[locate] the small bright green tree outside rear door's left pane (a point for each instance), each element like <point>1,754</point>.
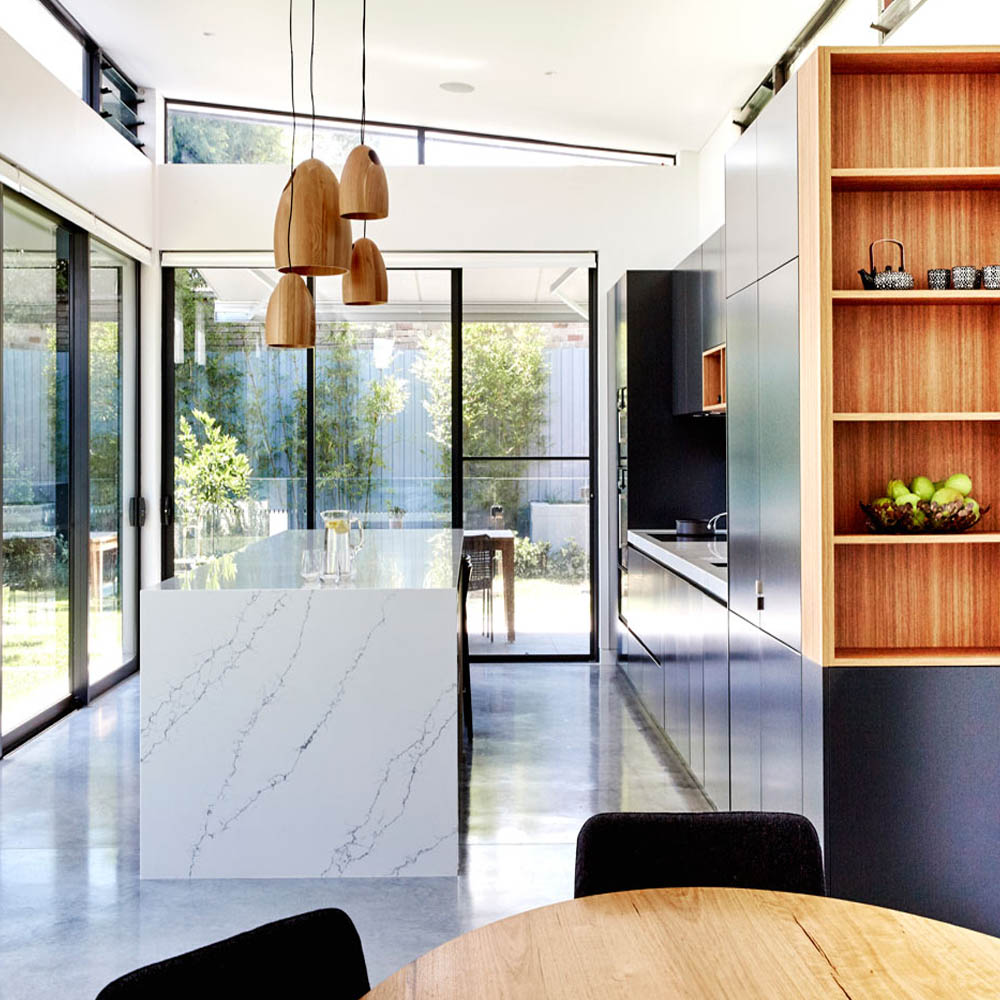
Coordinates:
<point>211,474</point>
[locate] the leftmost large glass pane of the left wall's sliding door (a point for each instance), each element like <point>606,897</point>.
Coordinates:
<point>35,673</point>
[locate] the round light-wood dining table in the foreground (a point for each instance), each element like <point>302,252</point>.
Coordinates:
<point>705,943</point>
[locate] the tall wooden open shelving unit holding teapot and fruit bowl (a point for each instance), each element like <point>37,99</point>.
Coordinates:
<point>900,143</point>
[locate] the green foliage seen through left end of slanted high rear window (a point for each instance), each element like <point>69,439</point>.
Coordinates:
<point>200,138</point>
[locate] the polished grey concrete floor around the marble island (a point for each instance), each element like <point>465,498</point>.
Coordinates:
<point>554,743</point>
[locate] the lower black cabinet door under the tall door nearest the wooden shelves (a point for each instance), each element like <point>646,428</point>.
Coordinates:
<point>780,727</point>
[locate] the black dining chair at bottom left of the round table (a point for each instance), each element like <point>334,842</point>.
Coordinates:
<point>286,958</point>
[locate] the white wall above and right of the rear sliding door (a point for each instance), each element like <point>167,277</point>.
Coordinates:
<point>632,216</point>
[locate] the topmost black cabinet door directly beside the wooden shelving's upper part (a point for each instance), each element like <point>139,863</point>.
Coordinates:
<point>777,180</point>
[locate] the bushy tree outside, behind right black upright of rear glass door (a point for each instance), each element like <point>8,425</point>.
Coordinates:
<point>504,386</point>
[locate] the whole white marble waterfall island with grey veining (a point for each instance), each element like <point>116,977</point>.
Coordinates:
<point>297,730</point>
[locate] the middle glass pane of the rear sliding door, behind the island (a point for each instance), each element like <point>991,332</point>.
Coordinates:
<point>383,403</point>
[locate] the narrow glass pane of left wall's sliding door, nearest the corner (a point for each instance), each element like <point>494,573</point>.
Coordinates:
<point>112,548</point>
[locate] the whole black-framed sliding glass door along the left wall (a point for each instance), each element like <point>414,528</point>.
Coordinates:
<point>70,468</point>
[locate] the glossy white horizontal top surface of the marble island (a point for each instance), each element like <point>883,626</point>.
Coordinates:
<point>390,559</point>
